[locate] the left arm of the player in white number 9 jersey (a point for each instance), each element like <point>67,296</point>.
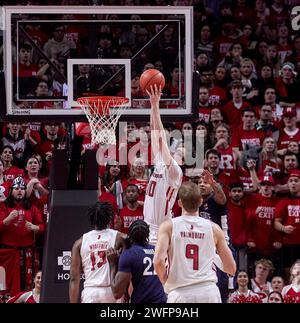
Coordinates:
<point>161,250</point>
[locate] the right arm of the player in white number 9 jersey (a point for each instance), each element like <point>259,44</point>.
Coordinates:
<point>228,263</point>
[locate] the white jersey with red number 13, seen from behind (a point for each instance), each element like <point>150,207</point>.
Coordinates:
<point>93,254</point>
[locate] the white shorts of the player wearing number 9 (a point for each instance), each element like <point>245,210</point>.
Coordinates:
<point>199,293</point>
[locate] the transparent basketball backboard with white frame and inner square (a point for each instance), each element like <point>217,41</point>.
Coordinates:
<point>52,56</point>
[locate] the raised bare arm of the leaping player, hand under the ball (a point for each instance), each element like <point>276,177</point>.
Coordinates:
<point>158,136</point>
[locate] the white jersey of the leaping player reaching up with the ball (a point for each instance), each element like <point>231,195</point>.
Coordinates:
<point>161,192</point>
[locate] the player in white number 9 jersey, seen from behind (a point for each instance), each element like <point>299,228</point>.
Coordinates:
<point>191,244</point>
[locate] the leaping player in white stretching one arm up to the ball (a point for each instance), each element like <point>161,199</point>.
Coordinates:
<point>167,176</point>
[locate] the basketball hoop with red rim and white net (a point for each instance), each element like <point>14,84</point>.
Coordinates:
<point>103,113</point>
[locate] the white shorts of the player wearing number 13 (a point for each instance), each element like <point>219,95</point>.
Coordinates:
<point>98,295</point>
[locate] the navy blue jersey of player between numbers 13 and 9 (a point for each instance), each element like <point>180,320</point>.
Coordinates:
<point>147,288</point>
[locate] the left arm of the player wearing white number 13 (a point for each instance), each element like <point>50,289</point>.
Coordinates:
<point>75,272</point>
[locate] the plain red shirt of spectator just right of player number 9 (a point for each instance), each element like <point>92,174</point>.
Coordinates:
<point>237,223</point>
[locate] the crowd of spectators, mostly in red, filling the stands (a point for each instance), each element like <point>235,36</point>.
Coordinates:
<point>247,61</point>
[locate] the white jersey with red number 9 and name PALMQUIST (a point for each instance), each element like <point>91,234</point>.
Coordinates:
<point>192,253</point>
